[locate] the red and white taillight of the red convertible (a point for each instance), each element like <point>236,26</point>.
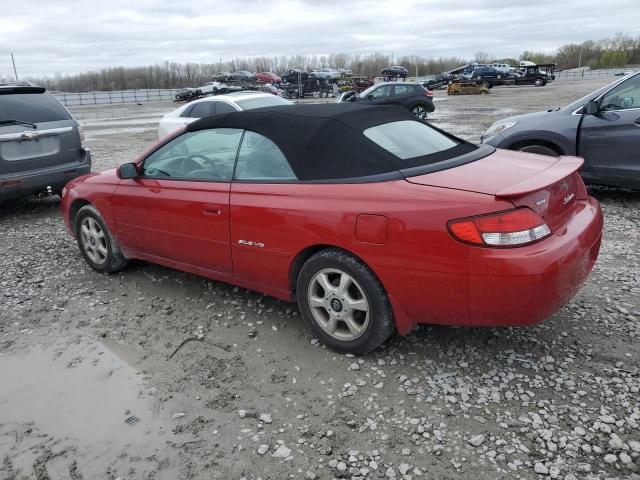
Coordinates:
<point>512,228</point>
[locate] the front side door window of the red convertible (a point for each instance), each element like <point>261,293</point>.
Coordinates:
<point>203,155</point>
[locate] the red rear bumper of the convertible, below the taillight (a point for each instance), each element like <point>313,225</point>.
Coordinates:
<point>521,286</point>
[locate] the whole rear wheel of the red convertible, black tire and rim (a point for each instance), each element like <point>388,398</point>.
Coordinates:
<point>343,302</point>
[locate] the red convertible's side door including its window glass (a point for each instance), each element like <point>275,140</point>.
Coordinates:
<point>178,208</point>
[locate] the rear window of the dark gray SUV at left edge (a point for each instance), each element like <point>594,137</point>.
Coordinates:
<point>31,107</point>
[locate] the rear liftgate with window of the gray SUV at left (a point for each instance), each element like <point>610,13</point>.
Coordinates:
<point>36,132</point>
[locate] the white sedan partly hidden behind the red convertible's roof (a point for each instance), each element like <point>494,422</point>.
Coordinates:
<point>209,106</point>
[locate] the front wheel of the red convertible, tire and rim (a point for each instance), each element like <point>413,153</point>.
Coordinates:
<point>97,245</point>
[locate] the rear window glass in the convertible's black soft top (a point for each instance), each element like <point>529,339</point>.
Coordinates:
<point>409,139</point>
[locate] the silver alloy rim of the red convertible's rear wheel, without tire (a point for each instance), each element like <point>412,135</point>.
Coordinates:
<point>338,304</point>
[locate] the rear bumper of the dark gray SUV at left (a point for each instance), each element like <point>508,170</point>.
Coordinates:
<point>24,184</point>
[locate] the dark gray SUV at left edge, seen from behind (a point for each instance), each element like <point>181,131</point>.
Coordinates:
<point>40,144</point>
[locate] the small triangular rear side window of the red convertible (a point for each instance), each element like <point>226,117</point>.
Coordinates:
<point>261,160</point>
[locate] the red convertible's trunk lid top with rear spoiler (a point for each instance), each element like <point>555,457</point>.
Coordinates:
<point>504,173</point>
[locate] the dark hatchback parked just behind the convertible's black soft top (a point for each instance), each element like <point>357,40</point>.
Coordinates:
<point>417,99</point>
